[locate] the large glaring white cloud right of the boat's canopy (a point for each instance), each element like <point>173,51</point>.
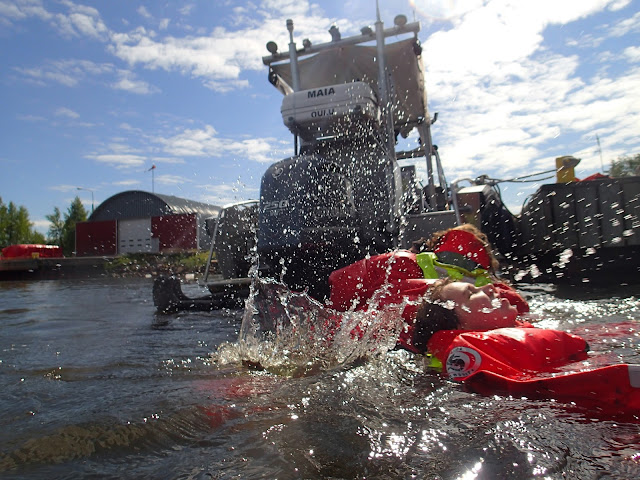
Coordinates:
<point>505,98</point>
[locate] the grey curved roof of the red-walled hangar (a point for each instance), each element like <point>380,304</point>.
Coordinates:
<point>140,204</point>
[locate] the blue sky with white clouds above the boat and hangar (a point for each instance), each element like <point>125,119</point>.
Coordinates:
<point>93,94</point>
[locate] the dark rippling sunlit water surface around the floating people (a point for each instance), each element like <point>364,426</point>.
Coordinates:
<point>95,384</point>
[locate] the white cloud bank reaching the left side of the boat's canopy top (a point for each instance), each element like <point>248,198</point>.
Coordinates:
<point>221,57</point>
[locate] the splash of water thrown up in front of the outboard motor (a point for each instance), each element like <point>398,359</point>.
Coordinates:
<point>291,334</point>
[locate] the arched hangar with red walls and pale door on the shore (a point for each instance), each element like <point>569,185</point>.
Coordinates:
<point>136,221</point>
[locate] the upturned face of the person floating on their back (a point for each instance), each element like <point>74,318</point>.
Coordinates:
<point>478,308</point>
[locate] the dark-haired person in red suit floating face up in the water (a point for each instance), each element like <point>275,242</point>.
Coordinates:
<point>469,334</point>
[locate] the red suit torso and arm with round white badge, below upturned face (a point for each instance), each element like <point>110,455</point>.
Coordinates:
<point>536,363</point>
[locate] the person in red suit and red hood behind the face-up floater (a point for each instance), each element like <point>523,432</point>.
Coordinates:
<point>397,277</point>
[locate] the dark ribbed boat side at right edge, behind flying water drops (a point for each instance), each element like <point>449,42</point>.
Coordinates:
<point>580,232</point>
